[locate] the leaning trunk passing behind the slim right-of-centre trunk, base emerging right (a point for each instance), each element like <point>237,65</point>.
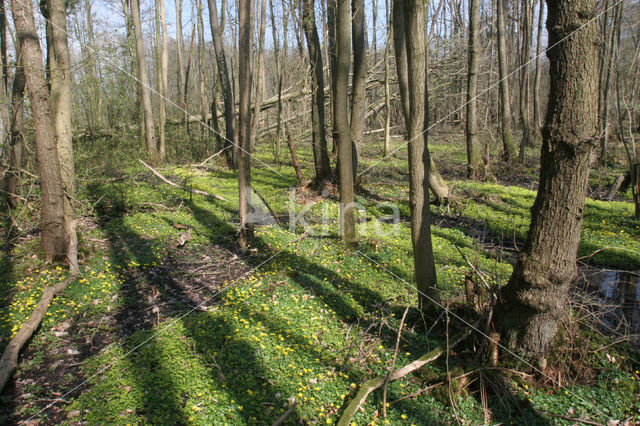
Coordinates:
<point>438,186</point>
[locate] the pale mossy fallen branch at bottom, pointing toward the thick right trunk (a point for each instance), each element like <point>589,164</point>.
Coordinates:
<point>373,384</point>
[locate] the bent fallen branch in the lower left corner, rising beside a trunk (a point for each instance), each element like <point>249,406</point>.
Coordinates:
<point>9,360</point>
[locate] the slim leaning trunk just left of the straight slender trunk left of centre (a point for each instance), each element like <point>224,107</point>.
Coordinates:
<point>223,74</point>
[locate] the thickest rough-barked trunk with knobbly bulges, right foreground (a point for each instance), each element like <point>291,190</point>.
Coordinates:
<point>533,301</point>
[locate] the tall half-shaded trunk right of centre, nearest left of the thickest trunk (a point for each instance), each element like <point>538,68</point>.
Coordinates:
<point>415,27</point>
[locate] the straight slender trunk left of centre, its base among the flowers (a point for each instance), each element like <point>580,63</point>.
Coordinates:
<point>244,123</point>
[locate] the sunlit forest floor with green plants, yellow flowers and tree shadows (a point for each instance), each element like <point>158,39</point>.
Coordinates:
<point>171,323</point>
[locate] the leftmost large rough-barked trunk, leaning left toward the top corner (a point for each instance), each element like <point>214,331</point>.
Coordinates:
<point>53,233</point>
